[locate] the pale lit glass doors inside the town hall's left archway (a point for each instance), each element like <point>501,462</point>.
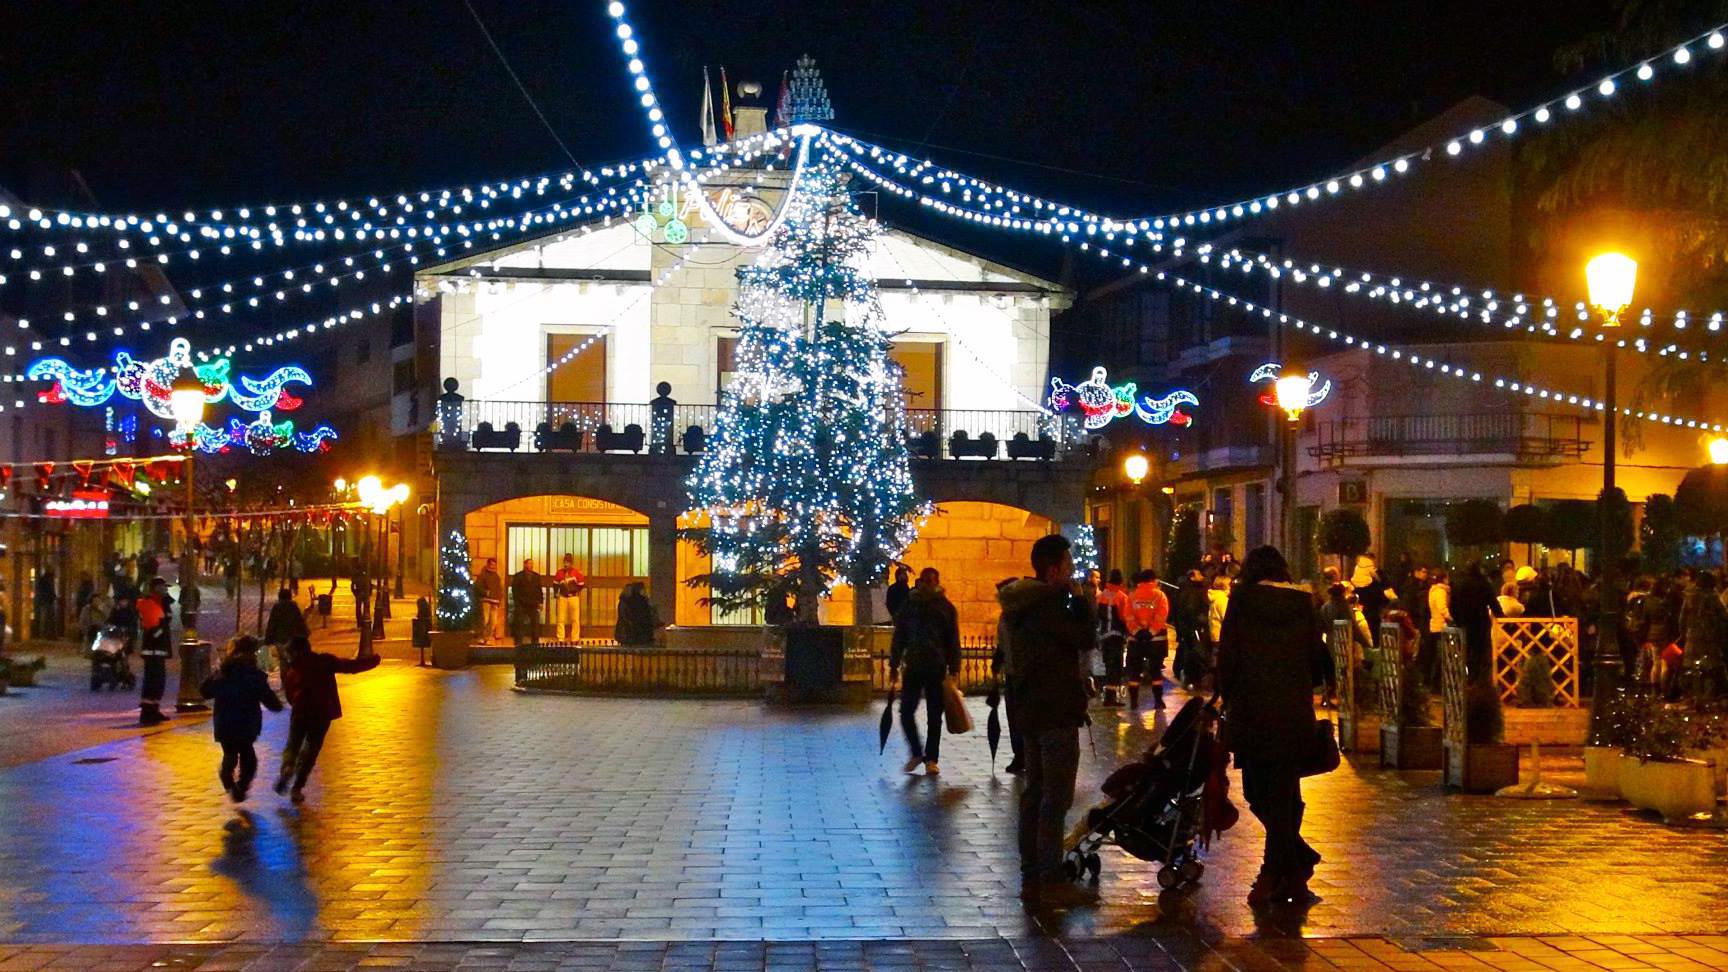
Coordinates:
<point>611,556</point>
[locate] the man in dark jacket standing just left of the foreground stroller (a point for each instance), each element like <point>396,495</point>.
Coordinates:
<point>1050,632</point>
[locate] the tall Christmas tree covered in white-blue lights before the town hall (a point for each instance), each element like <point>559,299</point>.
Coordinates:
<point>808,475</point>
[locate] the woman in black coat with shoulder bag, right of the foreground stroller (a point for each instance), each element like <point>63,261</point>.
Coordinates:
<point>1271,656</point>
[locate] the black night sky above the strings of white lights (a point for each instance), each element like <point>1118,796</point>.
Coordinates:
<point>1150,105</point>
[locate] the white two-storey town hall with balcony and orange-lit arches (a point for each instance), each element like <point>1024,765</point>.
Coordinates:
<point>581,376</point>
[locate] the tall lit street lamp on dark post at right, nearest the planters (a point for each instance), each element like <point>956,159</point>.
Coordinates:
<point>1611,279</point>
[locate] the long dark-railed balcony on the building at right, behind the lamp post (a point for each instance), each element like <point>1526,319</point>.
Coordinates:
<point>1520,437</point>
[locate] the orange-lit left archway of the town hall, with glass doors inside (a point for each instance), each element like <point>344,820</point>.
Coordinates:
<point>609,544</point>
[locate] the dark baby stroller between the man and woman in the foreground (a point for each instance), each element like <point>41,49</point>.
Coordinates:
<point>1166,807</point>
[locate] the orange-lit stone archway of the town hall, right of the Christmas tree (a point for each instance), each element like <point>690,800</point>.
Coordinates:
<point>977,546</point>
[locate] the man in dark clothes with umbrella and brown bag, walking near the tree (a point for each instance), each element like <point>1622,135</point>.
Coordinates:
<point>927,639</point>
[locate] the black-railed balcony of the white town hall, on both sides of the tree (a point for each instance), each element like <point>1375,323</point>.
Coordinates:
<point>594,428</point>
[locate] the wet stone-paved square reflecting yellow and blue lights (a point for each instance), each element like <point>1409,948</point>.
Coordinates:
<point>452,810</point>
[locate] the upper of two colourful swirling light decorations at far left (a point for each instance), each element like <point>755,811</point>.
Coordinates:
<point>153,383</point>
